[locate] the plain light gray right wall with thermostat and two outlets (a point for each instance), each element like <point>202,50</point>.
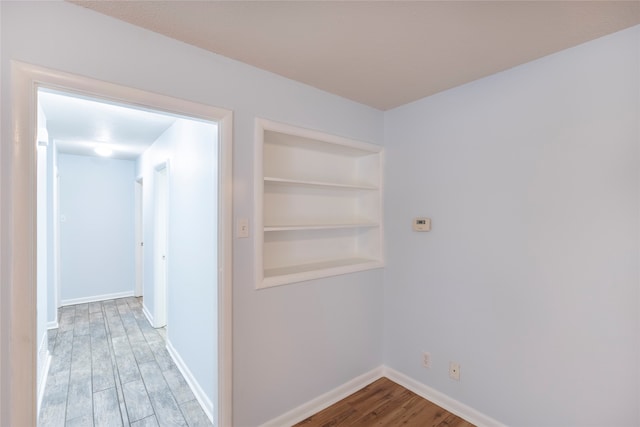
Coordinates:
<point>529,278</point>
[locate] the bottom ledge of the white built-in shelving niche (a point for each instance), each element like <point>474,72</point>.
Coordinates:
<point>299,273</point>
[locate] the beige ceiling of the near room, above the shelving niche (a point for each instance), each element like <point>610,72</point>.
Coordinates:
<point>380,53</point>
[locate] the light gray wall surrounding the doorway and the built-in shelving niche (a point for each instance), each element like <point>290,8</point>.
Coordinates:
<point>291,343</point>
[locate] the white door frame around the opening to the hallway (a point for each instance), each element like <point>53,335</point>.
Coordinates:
<point>18,349</point>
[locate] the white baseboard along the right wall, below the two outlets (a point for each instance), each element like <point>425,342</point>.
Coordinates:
<point>442,400</point>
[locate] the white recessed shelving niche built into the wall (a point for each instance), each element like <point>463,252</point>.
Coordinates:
<point>318,205</point>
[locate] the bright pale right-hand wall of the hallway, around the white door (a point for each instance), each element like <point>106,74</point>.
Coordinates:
<point>191,150</point>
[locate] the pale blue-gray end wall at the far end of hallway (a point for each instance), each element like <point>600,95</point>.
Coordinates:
<point>97,227</point>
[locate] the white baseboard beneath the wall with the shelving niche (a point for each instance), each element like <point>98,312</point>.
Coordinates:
<point>321,402</point>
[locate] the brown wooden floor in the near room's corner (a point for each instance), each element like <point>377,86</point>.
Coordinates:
<point>384,403</point>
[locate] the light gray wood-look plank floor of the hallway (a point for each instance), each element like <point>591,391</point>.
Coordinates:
<point>109,367</point>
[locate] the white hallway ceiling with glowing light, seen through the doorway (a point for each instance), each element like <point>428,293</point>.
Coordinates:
<point>79,124</point>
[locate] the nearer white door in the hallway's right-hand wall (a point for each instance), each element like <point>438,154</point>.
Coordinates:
<point>161,243</point>
